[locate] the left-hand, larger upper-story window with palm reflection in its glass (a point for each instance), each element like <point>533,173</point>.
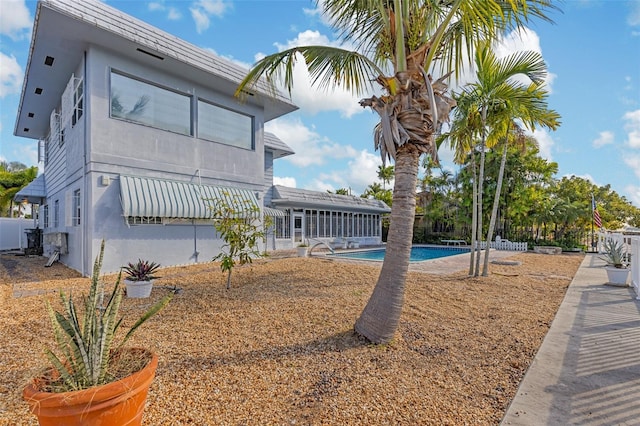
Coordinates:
<point>151,105</point>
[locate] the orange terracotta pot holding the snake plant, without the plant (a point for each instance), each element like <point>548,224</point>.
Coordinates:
<point>113,404</point>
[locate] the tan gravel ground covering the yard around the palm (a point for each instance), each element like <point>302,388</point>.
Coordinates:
<point>278,348</point>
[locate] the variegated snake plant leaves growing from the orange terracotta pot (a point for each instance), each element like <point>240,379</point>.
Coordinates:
<point>85,343</point>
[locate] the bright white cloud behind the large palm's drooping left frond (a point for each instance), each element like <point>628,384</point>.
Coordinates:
<point>310,99</point>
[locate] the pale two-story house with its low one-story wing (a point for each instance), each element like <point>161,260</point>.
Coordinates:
<point>139,131</point>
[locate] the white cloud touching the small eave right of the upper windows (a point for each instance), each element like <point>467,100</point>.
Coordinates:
<point>310,147</point>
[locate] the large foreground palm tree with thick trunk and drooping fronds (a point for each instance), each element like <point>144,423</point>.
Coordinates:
<point>397,44</point>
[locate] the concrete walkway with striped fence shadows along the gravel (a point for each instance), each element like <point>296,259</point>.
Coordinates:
<point>587,371</point>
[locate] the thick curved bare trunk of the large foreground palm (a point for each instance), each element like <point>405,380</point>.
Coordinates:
<point>380,318</point>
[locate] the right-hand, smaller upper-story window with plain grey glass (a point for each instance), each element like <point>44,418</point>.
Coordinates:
<point>225,126</point>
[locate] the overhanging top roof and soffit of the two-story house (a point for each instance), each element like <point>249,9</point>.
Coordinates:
<point>64,29</point>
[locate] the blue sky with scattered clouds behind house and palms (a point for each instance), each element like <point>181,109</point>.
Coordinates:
<point>592,52</point>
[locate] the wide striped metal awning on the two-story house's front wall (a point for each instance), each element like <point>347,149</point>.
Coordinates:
<point>149,197</point>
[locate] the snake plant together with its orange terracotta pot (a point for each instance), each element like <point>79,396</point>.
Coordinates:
<point>93,381</point>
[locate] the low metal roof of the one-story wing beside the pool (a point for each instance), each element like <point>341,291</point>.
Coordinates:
<point>294,197</point>
